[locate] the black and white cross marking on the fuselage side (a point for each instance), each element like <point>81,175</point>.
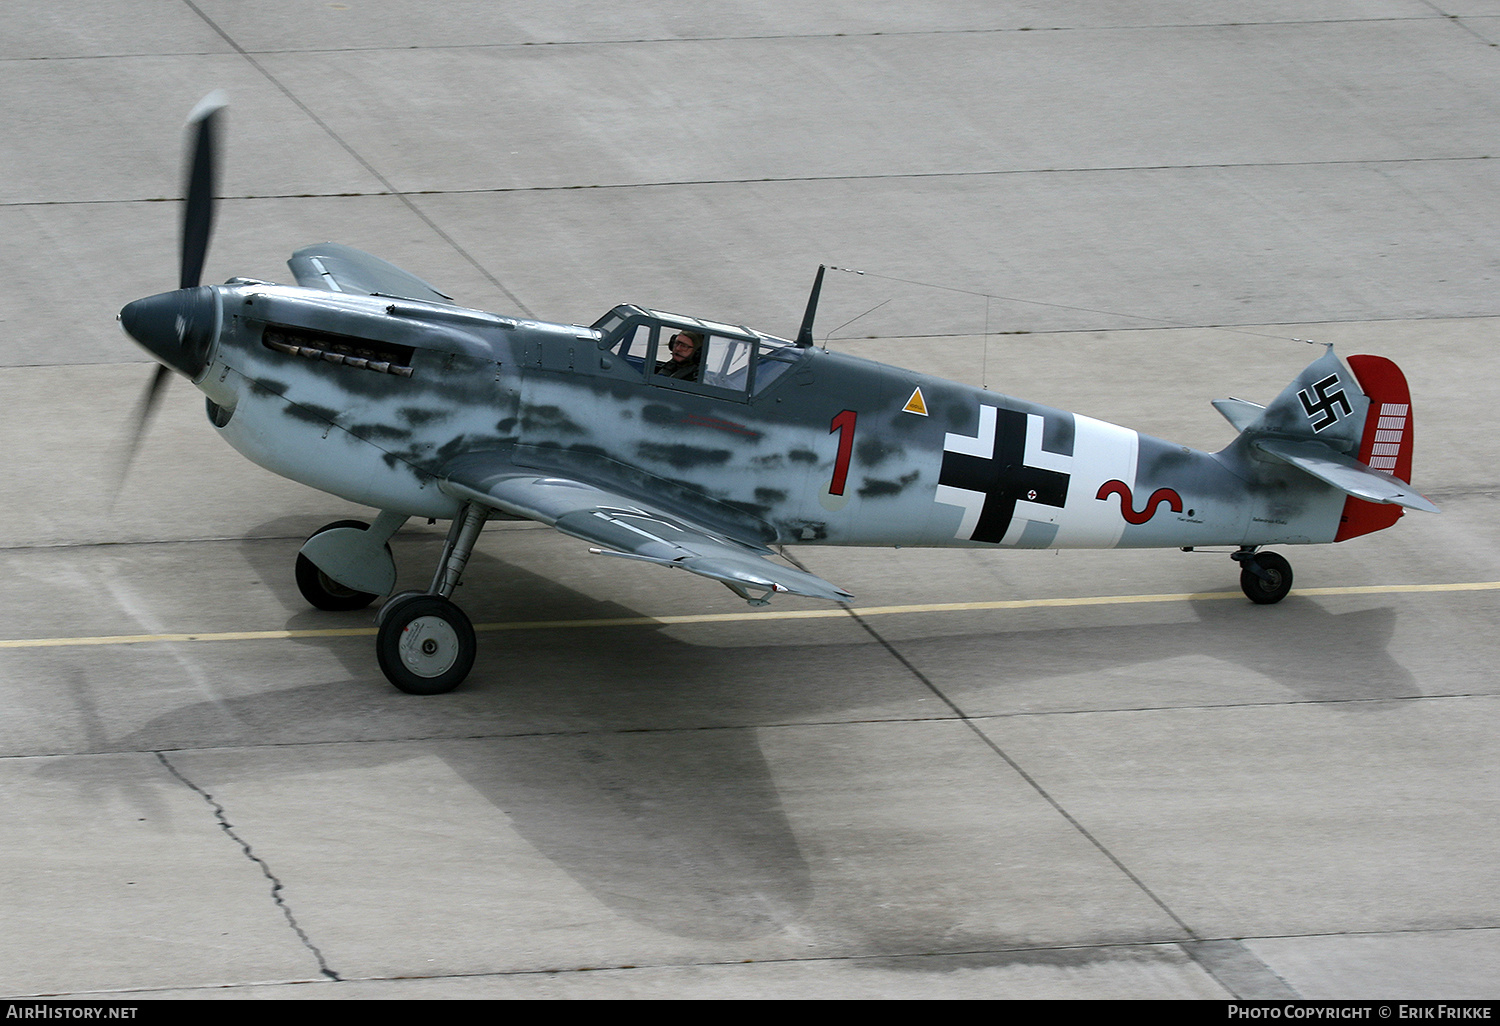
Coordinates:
<point>986,475</point>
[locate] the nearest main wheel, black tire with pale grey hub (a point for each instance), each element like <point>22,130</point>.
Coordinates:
<point>427,646</point>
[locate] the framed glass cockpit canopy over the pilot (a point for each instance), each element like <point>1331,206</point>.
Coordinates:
<point>731,362</point>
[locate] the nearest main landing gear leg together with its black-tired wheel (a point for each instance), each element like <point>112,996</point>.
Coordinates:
<point>425,644</point>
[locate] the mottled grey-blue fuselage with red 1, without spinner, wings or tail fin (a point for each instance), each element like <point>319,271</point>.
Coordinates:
<point>368,398</point>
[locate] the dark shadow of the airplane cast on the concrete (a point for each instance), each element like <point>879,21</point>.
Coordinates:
<point>622,755</point>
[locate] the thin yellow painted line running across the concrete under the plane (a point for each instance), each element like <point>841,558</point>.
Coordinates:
<point>767,614</point>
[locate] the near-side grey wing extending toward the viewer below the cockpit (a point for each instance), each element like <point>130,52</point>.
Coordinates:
<point>623,526</point>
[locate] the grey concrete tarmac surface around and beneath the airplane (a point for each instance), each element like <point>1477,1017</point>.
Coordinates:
<point>998,775</point>
